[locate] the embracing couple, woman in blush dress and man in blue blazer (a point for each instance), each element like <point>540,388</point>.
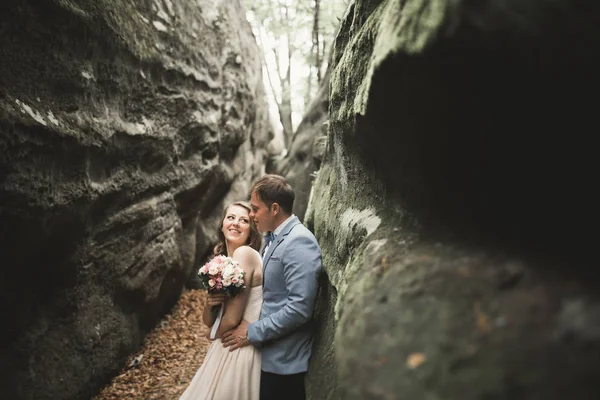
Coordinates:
<point>264,338</point>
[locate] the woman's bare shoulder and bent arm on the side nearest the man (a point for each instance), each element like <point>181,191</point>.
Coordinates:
<point>234,307</point>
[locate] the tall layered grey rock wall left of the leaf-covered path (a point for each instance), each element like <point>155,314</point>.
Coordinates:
<point>124,126</point>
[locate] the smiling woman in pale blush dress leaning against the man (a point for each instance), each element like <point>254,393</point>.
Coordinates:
<point>224,374</point>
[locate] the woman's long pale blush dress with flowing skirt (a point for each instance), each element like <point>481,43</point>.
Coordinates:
<point>230,375</point>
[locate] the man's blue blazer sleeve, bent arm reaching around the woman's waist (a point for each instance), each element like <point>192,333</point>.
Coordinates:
<point>301,268</point>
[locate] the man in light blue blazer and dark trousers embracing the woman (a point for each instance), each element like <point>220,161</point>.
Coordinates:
<point>291,268</point>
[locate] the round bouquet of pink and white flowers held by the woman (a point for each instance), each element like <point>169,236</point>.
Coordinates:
<point>222,275</point>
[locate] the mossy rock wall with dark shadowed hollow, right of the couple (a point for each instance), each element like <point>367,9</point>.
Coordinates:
<point>454,203</point>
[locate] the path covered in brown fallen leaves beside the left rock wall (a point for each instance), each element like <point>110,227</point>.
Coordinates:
<point>169,358</point>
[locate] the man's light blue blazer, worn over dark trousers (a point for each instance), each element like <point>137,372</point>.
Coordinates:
<point>291,269</point>
